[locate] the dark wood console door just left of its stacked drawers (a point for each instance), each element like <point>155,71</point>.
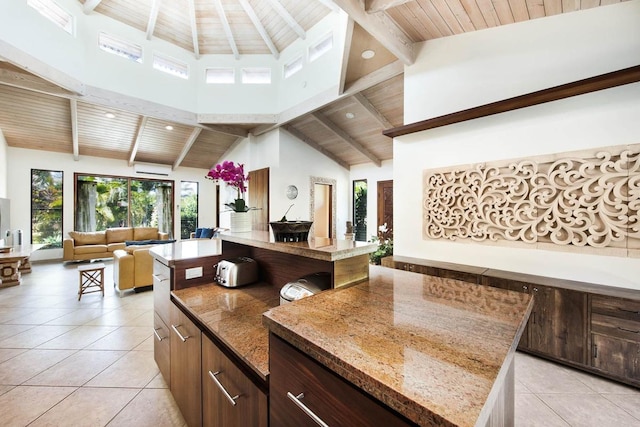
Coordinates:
<point>557,326</point>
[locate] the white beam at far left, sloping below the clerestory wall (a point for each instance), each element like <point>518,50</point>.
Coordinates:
<point>41,69</point>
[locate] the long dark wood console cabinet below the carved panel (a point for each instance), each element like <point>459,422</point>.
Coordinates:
<point>590,327</point>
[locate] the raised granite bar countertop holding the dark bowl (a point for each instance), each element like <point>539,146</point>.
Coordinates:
<point>323,249</point>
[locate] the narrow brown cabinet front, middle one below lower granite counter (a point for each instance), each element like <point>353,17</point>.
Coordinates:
<point>186,367</point>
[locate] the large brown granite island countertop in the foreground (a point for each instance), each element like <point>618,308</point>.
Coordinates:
<point>431,348</point>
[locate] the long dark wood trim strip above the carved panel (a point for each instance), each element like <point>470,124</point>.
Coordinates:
<point>580,87</point>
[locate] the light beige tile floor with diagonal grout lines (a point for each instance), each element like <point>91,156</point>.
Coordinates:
<point>65,362</point>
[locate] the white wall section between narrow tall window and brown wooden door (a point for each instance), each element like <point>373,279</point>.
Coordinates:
<point>372,174</point>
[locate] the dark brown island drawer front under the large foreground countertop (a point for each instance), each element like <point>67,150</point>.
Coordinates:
<point>301,389</point>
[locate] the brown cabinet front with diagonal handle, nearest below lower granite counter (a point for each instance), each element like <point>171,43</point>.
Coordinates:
<point>229,398</point>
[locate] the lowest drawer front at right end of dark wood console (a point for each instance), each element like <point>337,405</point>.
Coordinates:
<point>617,357</point>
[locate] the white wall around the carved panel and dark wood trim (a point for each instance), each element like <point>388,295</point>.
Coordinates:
<point>464,71</point>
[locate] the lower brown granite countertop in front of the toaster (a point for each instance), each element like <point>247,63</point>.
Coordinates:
<point>234,316</point>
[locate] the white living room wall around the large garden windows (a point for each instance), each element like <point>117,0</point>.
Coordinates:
<point>23,160</point>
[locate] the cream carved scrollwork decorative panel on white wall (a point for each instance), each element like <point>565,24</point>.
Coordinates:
<point>588,201</point>
